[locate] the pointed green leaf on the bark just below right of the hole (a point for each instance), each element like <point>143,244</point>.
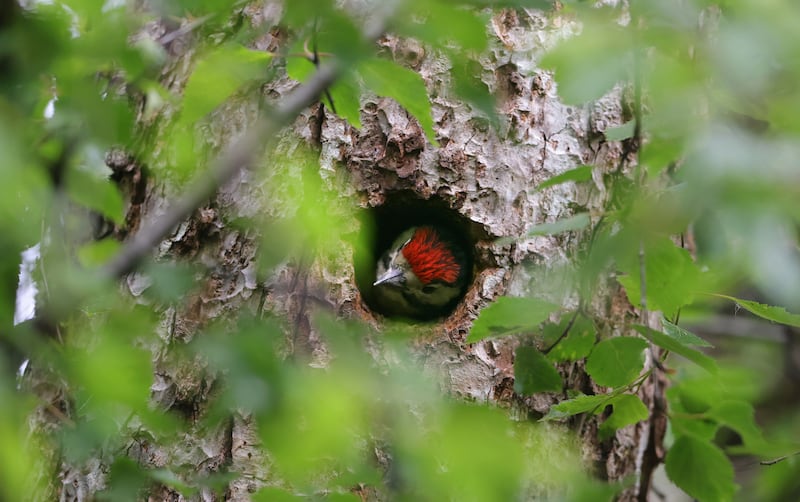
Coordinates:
<point>510,315</point>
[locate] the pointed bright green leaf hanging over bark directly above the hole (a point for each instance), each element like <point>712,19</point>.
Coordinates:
<point>389,79</point>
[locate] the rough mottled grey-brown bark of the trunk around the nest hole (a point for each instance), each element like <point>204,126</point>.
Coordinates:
<point>486,176</point>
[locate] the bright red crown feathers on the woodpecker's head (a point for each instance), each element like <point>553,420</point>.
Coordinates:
<point>430,258</point>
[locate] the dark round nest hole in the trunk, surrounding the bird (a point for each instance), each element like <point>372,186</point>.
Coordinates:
<point>402,210</point>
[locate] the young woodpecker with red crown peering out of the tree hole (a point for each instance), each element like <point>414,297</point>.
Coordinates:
<point>422,274</point>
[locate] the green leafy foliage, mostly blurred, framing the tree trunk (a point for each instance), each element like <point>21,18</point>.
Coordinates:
<point>711,143</point>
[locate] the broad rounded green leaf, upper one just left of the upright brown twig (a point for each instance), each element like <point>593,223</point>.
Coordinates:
<point>616,361</point>
